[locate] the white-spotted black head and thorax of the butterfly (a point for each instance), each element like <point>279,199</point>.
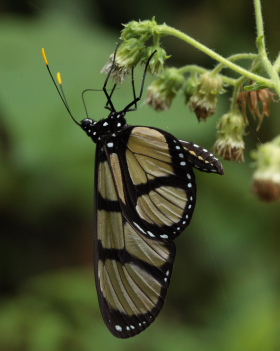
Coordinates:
<point>105,127</point>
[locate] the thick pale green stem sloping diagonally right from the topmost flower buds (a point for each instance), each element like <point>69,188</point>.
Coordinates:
<point>166,30</point>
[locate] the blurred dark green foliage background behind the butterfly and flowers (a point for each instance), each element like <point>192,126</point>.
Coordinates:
<point>225,287</point>
